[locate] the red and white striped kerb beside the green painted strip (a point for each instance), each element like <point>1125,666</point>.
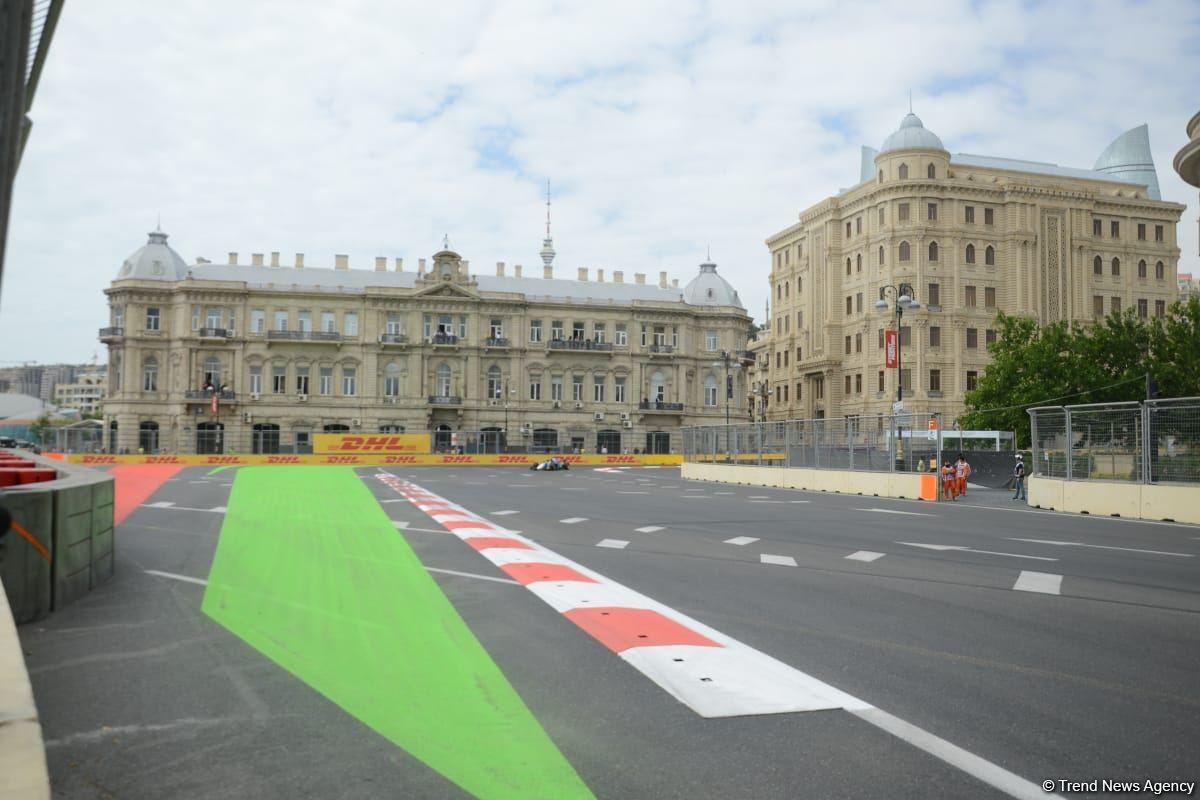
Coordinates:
<point>713,675</point>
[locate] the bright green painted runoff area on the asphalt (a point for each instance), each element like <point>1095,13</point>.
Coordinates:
<point>311,573</point>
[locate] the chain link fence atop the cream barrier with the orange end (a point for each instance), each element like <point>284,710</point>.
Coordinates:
<point>879,444</point>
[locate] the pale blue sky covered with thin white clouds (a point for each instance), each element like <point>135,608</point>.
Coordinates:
<point>667,129</point>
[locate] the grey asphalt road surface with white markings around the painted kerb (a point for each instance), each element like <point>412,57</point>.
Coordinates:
<point>143,696</point>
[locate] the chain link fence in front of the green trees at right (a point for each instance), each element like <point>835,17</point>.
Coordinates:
<point>1141,443</point>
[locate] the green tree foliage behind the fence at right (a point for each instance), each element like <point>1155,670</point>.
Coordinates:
<point>1105,363</point>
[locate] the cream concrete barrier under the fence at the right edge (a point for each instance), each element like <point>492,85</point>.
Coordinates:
<point>1173,503</point>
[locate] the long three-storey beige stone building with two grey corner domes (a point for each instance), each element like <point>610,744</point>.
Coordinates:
<point>597,363</point>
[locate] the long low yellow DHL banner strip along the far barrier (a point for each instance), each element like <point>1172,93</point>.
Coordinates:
<point>380,460</point>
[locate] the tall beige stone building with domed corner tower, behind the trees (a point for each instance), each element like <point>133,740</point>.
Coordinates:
<point>973,236</point>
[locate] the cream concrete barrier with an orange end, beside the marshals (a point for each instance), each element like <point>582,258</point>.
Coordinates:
<point>885,485</point>
